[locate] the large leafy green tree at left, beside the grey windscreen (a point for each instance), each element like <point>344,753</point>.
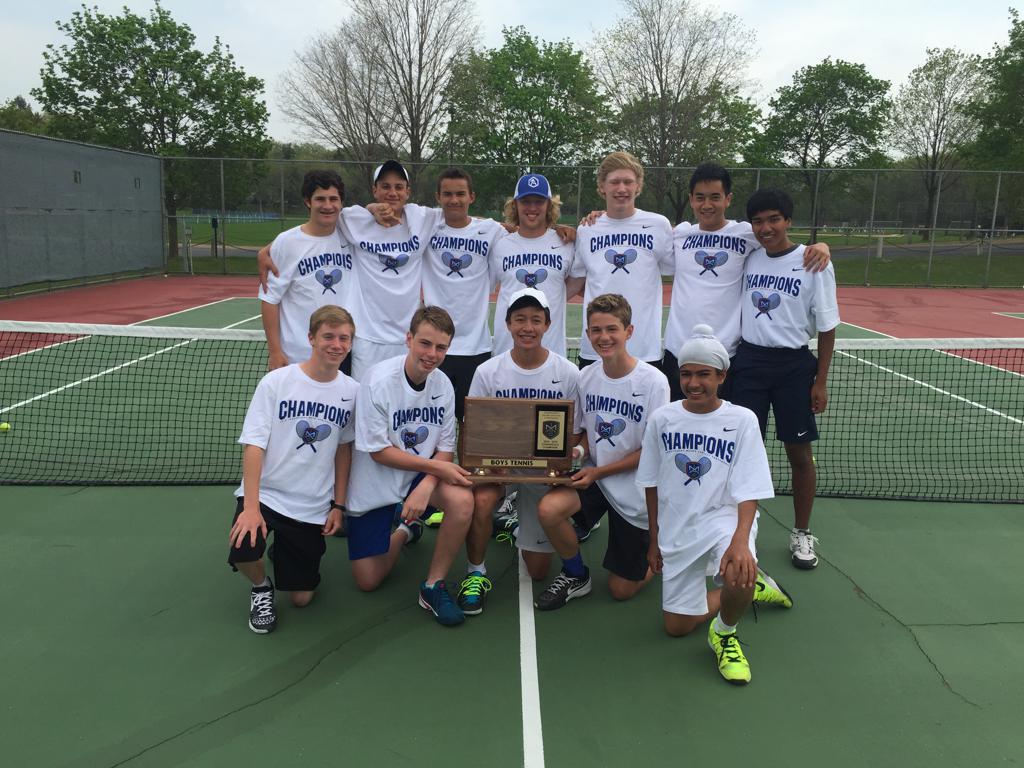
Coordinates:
<point>140,83</point>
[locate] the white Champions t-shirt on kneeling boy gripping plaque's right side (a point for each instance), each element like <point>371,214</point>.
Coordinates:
<point>615,413</point>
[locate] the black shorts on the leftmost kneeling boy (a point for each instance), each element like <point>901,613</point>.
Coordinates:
<point>298,548</point>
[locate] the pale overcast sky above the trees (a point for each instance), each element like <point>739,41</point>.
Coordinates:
<point>888,36</point>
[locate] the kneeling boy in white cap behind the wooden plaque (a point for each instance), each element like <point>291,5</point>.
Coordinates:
<point>527,371</point>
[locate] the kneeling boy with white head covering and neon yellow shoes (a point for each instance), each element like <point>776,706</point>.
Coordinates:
<point>704,467</point>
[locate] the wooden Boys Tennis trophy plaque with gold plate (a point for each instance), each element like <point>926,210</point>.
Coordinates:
<point>504,440</point>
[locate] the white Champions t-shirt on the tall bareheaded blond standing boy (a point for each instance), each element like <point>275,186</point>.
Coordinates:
<point>627,258</point>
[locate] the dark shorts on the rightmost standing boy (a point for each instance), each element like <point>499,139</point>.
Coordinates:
<point>779,378</point>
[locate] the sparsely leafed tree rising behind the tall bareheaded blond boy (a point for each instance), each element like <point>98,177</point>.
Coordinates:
<point>673,72</point>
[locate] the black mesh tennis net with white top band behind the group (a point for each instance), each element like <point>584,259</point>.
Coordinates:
<point>930,419</point>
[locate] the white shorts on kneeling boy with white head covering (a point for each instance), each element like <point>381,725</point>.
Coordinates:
<point>685,580</point>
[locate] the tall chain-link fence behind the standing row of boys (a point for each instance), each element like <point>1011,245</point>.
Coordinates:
<point>885,227</point>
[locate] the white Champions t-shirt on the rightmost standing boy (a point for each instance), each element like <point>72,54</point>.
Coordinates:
<point>784,306</point>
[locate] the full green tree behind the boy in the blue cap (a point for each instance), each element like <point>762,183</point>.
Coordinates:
<point>528,104</point>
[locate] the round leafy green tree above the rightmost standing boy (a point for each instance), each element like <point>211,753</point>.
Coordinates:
<point>834,114</point>
